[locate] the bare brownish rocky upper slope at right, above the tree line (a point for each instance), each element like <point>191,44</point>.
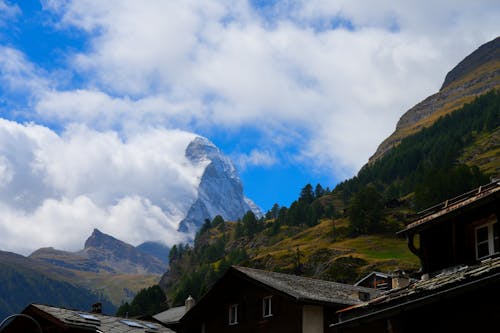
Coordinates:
<point>477,74</point>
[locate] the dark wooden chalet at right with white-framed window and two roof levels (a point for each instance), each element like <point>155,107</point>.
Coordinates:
<point>459,290</point>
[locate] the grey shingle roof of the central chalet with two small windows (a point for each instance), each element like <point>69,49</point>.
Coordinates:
<point>307,289</point>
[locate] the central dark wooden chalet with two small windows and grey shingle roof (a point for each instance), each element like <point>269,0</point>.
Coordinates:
<point>252,300</point>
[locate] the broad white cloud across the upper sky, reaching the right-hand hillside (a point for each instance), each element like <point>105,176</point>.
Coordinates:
<point>216,64</point>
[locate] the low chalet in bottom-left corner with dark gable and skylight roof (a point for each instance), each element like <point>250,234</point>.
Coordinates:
<point>49,319</point>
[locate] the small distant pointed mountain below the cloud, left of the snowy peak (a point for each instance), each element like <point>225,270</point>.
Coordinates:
<point>103,253</point>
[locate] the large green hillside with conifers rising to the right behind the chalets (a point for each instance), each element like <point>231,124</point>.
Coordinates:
<point>445,146</point>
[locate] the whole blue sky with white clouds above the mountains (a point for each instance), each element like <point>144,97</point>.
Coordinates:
<point>98,99</point>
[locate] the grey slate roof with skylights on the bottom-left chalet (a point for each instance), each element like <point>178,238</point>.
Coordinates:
<point>94,321</point>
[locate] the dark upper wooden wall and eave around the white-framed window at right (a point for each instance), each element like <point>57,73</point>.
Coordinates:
<point>448,231</point>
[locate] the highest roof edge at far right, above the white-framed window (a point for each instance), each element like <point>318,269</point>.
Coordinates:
<point>450,207</point>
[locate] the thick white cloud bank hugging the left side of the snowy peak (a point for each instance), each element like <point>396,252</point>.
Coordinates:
<point>57,188</point>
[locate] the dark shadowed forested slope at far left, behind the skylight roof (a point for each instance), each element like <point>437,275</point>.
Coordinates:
<point>24,281</point>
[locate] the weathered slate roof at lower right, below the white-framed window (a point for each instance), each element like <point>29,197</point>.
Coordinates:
<point>454,280</point>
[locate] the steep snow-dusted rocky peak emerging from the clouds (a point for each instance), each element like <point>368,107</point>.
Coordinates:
<point>220,191</point>
